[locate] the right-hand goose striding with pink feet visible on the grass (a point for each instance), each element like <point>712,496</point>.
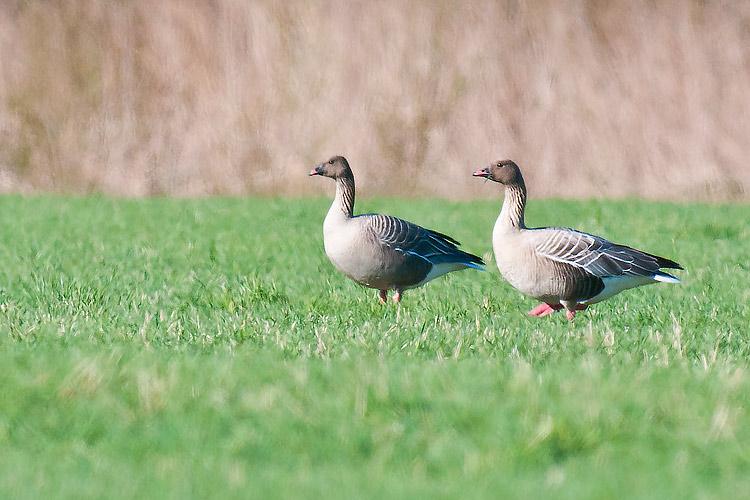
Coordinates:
<point>562,267</point>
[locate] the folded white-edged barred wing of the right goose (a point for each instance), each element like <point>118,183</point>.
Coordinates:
<point>598,256</point>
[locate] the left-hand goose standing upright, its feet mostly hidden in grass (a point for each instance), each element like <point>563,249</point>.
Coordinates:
<point>380,251</point>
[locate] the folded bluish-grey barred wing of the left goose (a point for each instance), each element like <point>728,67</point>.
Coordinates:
<point>411,239</point>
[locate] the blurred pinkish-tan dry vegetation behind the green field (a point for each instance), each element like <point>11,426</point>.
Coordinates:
<point>196,97</point>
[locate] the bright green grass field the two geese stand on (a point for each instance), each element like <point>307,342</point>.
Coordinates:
<point>173,348</point>
